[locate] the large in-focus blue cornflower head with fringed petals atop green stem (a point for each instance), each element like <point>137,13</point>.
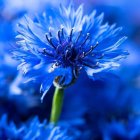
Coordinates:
<point>58,44</point>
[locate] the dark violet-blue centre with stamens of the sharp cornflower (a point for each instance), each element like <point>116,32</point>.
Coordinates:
<point>67,51</point>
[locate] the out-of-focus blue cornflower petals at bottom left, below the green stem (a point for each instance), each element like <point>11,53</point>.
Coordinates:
<point>37,130</point>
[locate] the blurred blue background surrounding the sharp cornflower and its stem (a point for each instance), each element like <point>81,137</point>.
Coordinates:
<point>111,102</point>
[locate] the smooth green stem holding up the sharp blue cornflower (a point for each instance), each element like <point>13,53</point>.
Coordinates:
<point>57,105</point>
